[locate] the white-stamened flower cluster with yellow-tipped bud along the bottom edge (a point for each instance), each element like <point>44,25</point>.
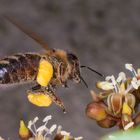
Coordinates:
<point>32,132</point>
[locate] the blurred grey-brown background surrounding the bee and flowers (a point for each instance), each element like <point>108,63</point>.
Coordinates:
<point>104,34</point>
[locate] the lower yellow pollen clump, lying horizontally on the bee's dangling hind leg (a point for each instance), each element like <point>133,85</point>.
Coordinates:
<point>40,99</point>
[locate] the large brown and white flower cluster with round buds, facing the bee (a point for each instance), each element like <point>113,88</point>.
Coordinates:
<point>117,101</point>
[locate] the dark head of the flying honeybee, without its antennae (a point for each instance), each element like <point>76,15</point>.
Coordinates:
<point>75,67</point>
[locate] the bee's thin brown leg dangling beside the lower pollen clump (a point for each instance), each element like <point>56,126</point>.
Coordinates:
<point>50,90</point>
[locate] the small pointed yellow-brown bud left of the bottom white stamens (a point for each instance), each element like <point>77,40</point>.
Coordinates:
<point>23,130</point>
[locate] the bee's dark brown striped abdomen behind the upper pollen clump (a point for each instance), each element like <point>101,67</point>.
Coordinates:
<point>19,68</point>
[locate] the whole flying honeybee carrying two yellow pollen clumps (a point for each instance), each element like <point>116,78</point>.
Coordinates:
<point>49,70</point>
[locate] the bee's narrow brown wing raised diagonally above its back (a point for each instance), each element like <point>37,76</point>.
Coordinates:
<point>29,32</point>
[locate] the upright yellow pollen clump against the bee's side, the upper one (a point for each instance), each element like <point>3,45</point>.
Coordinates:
<point>45,73</point>
